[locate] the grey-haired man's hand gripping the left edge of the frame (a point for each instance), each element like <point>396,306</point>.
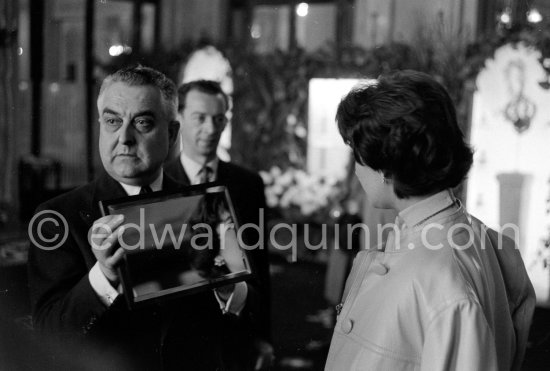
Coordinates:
<point>104,241</point>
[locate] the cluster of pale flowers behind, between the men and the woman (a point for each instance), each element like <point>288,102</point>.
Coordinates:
<point>297,194</point>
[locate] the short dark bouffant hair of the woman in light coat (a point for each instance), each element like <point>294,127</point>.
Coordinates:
<point>405,126</point>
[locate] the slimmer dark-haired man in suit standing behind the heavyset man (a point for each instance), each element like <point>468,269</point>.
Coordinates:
<point>202,113</point>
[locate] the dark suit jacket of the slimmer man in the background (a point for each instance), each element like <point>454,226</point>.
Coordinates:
<point>246,189</point>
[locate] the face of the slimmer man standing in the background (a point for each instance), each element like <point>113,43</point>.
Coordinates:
<point>202,122</point>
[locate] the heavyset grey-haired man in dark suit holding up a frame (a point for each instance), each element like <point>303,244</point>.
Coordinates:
<point>74,286</point>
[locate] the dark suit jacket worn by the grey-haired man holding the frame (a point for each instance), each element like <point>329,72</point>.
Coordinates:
<point>186,332</point>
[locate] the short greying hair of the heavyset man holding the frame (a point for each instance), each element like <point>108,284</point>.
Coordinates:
<point>142,76</point>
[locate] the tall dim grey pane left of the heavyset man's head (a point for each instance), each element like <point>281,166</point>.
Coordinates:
<point>63,121</point>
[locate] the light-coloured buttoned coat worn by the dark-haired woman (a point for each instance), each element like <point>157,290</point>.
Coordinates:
<point>448,295</point>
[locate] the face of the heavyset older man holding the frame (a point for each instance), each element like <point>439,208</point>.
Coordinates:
<point>135,133</point>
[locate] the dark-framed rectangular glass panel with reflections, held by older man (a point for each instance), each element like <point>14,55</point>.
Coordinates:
<point>178,243</point>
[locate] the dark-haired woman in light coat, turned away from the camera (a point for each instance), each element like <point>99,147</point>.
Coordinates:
<point>444,292</point>
